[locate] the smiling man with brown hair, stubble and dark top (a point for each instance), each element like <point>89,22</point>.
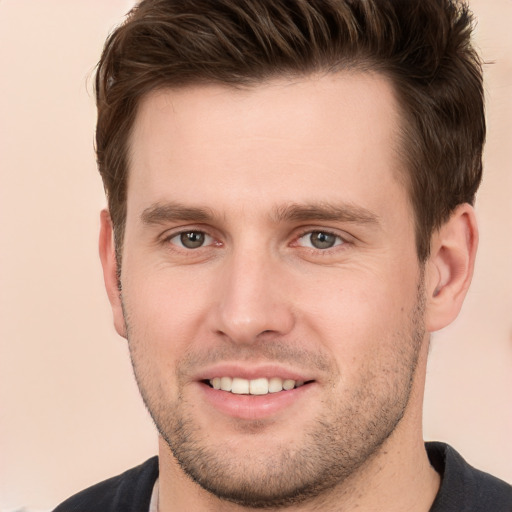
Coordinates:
<point>289,187</point>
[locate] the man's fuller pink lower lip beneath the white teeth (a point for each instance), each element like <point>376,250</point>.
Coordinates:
<point>253,407</point>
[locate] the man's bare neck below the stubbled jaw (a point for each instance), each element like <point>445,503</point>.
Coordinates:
<point>404,482</point>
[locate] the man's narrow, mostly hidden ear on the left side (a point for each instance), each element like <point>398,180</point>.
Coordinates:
<point>110,274</point>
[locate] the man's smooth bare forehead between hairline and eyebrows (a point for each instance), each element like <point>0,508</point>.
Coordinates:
<point>285,140</point>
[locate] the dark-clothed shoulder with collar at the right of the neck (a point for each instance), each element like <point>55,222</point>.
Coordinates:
<point>464,488</point>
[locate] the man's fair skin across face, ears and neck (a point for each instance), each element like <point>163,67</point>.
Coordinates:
<point>257,171</point>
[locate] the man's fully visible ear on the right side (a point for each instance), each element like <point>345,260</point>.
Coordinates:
<point>450,267</point>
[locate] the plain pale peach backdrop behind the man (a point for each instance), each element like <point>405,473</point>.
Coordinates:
<point>70,413</point>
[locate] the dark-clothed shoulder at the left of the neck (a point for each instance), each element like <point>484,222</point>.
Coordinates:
<point>130,491</point>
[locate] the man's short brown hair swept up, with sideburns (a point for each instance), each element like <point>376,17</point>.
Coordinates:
<point>422,46</point>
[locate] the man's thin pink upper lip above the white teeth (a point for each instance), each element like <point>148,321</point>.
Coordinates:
<point>250,372</point>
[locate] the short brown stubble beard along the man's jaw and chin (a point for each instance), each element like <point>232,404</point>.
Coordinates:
<point>335,444</point>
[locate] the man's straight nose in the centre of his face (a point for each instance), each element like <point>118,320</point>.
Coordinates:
<point>252,299</point>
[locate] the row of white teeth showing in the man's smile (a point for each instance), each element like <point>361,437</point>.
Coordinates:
<point>260,386</point>
